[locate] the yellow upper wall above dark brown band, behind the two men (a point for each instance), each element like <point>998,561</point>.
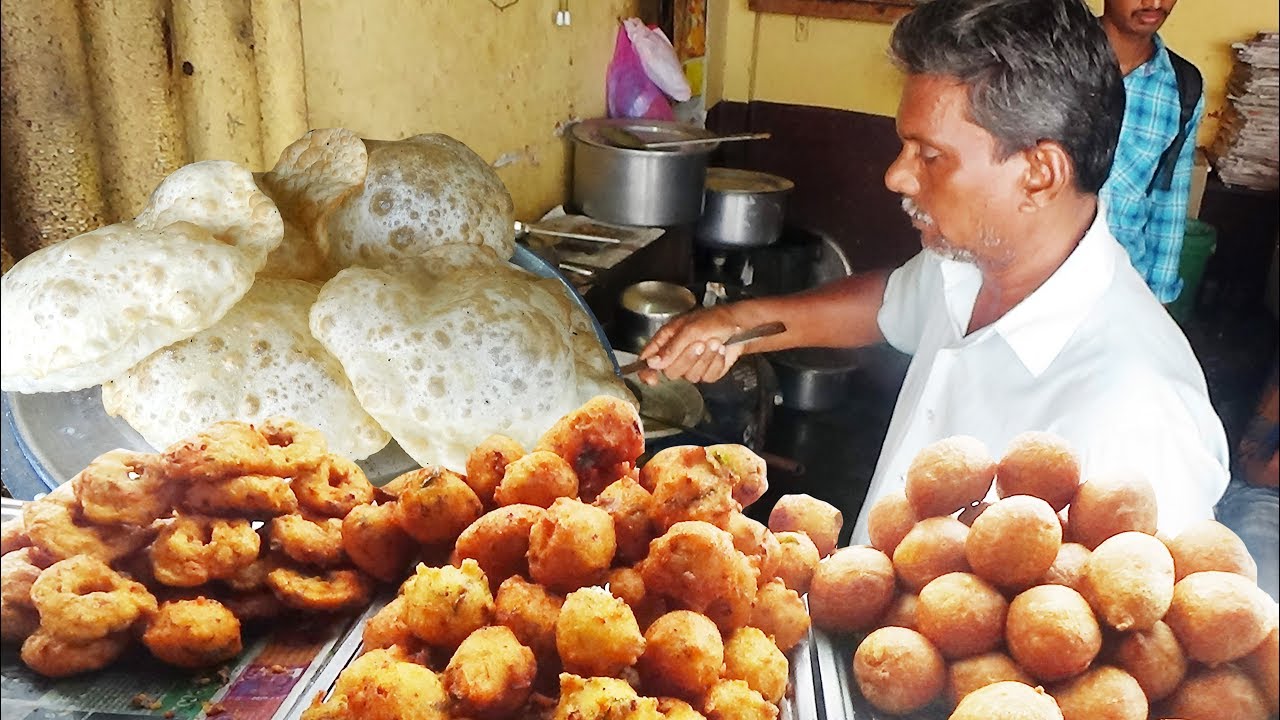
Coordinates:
<point>844,65</point>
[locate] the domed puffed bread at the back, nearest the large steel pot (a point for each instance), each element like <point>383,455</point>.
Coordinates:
<point>422,193</point>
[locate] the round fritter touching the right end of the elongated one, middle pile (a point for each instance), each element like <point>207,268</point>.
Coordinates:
<point>572,545</point>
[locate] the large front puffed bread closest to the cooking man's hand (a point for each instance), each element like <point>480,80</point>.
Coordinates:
<point>445,356</point>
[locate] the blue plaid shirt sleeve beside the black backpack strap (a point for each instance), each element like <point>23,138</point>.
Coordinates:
<point>1167,225</point>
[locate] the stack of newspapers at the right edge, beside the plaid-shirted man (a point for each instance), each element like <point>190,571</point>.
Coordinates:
<point>1247,149</point>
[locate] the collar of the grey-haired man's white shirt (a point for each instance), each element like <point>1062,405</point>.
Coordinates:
<point>1040,326</point>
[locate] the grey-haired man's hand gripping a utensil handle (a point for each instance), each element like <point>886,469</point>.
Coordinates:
<point>692,347</point>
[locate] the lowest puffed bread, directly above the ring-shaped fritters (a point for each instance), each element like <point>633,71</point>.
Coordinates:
<point>259,361</point>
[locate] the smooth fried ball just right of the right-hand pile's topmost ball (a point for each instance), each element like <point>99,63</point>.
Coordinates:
<point>1109,505</point>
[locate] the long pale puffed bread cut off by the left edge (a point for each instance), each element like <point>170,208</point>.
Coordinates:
<point>80,313</point>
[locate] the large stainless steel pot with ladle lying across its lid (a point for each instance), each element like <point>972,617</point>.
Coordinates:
<point>639,188</point>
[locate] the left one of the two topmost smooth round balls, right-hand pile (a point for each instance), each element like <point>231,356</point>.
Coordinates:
<point>949,475</point>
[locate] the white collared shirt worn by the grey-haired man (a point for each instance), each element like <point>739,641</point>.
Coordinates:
<point>1091,356</point>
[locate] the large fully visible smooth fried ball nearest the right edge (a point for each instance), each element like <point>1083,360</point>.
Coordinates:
<point>1219,617</point>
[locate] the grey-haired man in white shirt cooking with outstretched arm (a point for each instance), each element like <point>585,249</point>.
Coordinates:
<point>1022,313</point>
